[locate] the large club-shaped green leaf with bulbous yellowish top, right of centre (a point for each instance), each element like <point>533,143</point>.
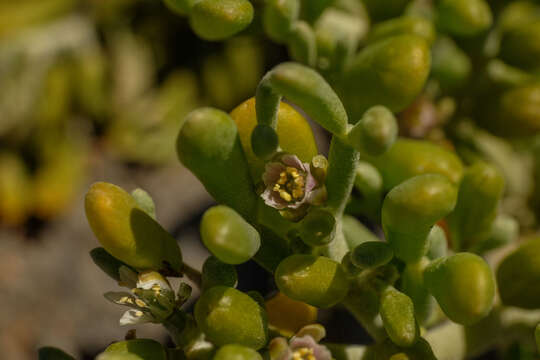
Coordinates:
<point>411,209</point>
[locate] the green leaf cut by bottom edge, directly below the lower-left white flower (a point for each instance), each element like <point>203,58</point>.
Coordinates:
<point>138,349</point>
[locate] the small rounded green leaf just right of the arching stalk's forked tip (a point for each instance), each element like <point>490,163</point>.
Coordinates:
<point>375,133</point>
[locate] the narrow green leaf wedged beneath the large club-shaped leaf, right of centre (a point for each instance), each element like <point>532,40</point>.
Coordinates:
<point>412,284</point>
